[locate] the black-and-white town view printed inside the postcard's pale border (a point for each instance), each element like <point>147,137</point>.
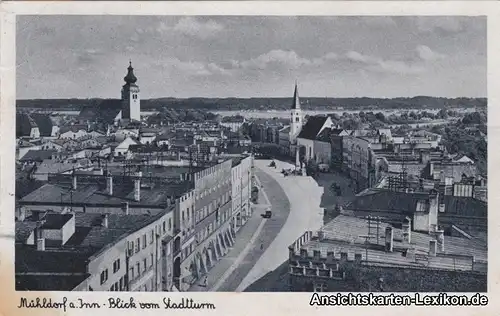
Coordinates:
<point>219,153</point>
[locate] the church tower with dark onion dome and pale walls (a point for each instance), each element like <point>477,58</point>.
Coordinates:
<point>131,99</point>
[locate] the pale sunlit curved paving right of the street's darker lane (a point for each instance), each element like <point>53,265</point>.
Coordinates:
<point>304,196</point>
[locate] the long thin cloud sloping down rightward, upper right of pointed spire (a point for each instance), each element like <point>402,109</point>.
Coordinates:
<point>376,64</point>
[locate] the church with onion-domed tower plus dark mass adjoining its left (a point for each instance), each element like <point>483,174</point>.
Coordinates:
<point>114,111</point>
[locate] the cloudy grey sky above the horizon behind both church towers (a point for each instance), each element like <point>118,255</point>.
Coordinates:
<point>251,56</point>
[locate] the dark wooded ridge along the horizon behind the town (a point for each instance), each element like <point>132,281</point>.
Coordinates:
<point>214,104</point>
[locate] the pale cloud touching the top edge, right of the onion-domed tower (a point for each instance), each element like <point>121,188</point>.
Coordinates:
<point>192,26</point>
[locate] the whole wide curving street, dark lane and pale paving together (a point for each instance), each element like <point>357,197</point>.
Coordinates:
<point>262,244</point>
